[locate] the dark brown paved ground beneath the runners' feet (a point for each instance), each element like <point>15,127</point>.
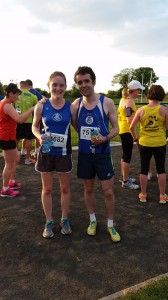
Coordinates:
<point>79,266</point>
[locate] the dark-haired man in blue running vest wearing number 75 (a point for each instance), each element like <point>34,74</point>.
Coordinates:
<point>95,112</point>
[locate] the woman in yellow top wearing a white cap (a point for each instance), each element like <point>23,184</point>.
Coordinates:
<point>126,112</point>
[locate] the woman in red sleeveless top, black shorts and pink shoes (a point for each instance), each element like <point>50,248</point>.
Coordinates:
<point>8,120</point>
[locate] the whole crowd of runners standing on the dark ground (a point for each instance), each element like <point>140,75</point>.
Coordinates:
<point>29,116</point>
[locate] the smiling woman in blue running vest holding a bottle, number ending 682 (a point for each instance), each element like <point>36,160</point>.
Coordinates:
<point>56,114</point>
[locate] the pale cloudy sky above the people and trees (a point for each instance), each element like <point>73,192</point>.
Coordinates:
<point>39,37</point>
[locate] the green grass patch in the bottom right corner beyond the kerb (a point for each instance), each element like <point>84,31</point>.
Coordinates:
<point>157,290</point>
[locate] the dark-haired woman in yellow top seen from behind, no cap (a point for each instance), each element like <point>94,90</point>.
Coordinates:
<point>153,119</point>
